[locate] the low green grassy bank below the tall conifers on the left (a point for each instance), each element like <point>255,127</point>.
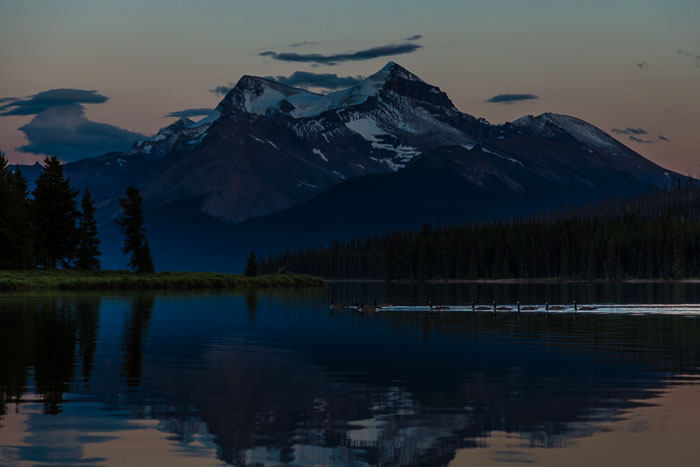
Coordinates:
<point>126,280</point>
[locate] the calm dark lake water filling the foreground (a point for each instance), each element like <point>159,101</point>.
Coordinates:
<point>273,377</point>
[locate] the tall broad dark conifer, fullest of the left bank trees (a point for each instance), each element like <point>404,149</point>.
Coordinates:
<point>54,216</point>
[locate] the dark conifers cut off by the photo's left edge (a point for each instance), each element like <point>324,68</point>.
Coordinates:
<point>16,249</point>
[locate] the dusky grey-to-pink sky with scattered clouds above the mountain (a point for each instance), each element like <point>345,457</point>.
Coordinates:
<point>80,78</point>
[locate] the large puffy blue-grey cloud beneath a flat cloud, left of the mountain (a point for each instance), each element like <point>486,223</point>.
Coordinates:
<point>64,130</point>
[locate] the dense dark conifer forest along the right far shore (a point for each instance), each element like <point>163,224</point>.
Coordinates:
<point>652,236</point>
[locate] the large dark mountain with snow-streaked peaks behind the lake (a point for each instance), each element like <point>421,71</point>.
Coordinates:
<point>280,167</point>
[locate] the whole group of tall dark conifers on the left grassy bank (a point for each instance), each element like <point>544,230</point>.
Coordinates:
<point>45,228</point>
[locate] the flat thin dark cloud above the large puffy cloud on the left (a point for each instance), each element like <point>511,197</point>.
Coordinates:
<point>39,102</point>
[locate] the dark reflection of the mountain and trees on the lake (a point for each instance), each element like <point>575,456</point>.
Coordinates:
<point>290,383</point>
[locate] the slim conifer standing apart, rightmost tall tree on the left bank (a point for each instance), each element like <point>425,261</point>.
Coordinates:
<point>131,223</point>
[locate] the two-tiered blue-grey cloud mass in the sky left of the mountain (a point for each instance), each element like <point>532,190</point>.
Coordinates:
<point>60,127</point>
